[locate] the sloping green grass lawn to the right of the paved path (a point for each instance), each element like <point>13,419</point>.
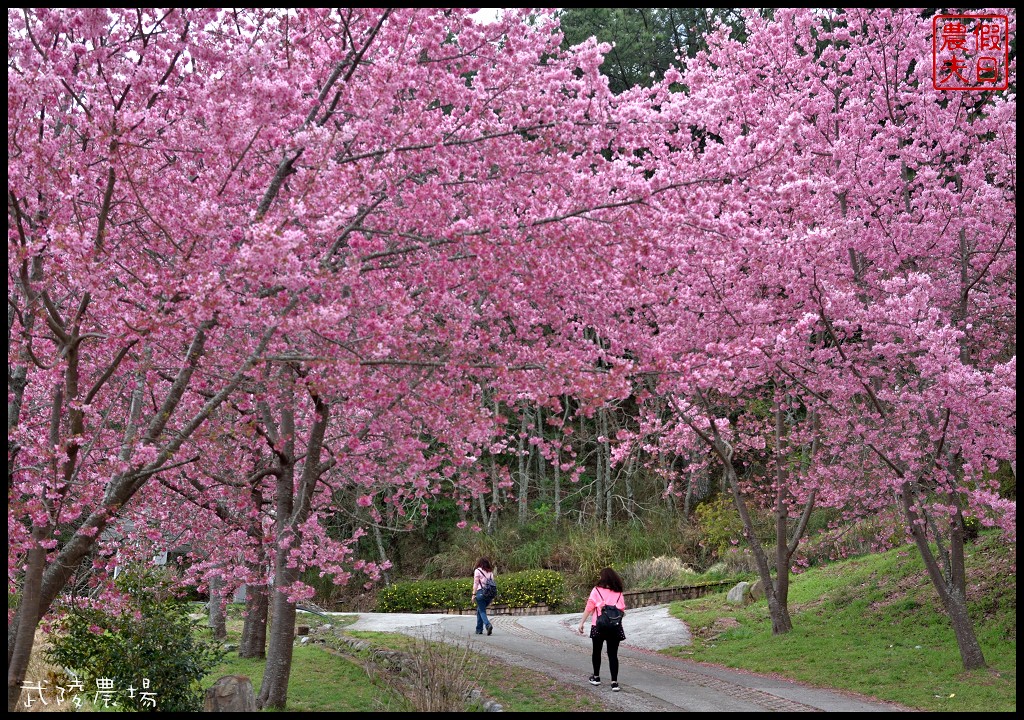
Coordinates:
<point>874,625</point>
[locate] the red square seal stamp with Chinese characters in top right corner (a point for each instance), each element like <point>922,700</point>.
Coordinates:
<point>970,53</point>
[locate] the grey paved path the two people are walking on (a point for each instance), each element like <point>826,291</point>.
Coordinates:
<point>651,683</point>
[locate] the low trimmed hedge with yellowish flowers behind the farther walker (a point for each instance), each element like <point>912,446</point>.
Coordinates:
<point>517,590</point>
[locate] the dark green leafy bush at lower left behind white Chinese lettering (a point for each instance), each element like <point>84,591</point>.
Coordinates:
<point>153,641</point>
